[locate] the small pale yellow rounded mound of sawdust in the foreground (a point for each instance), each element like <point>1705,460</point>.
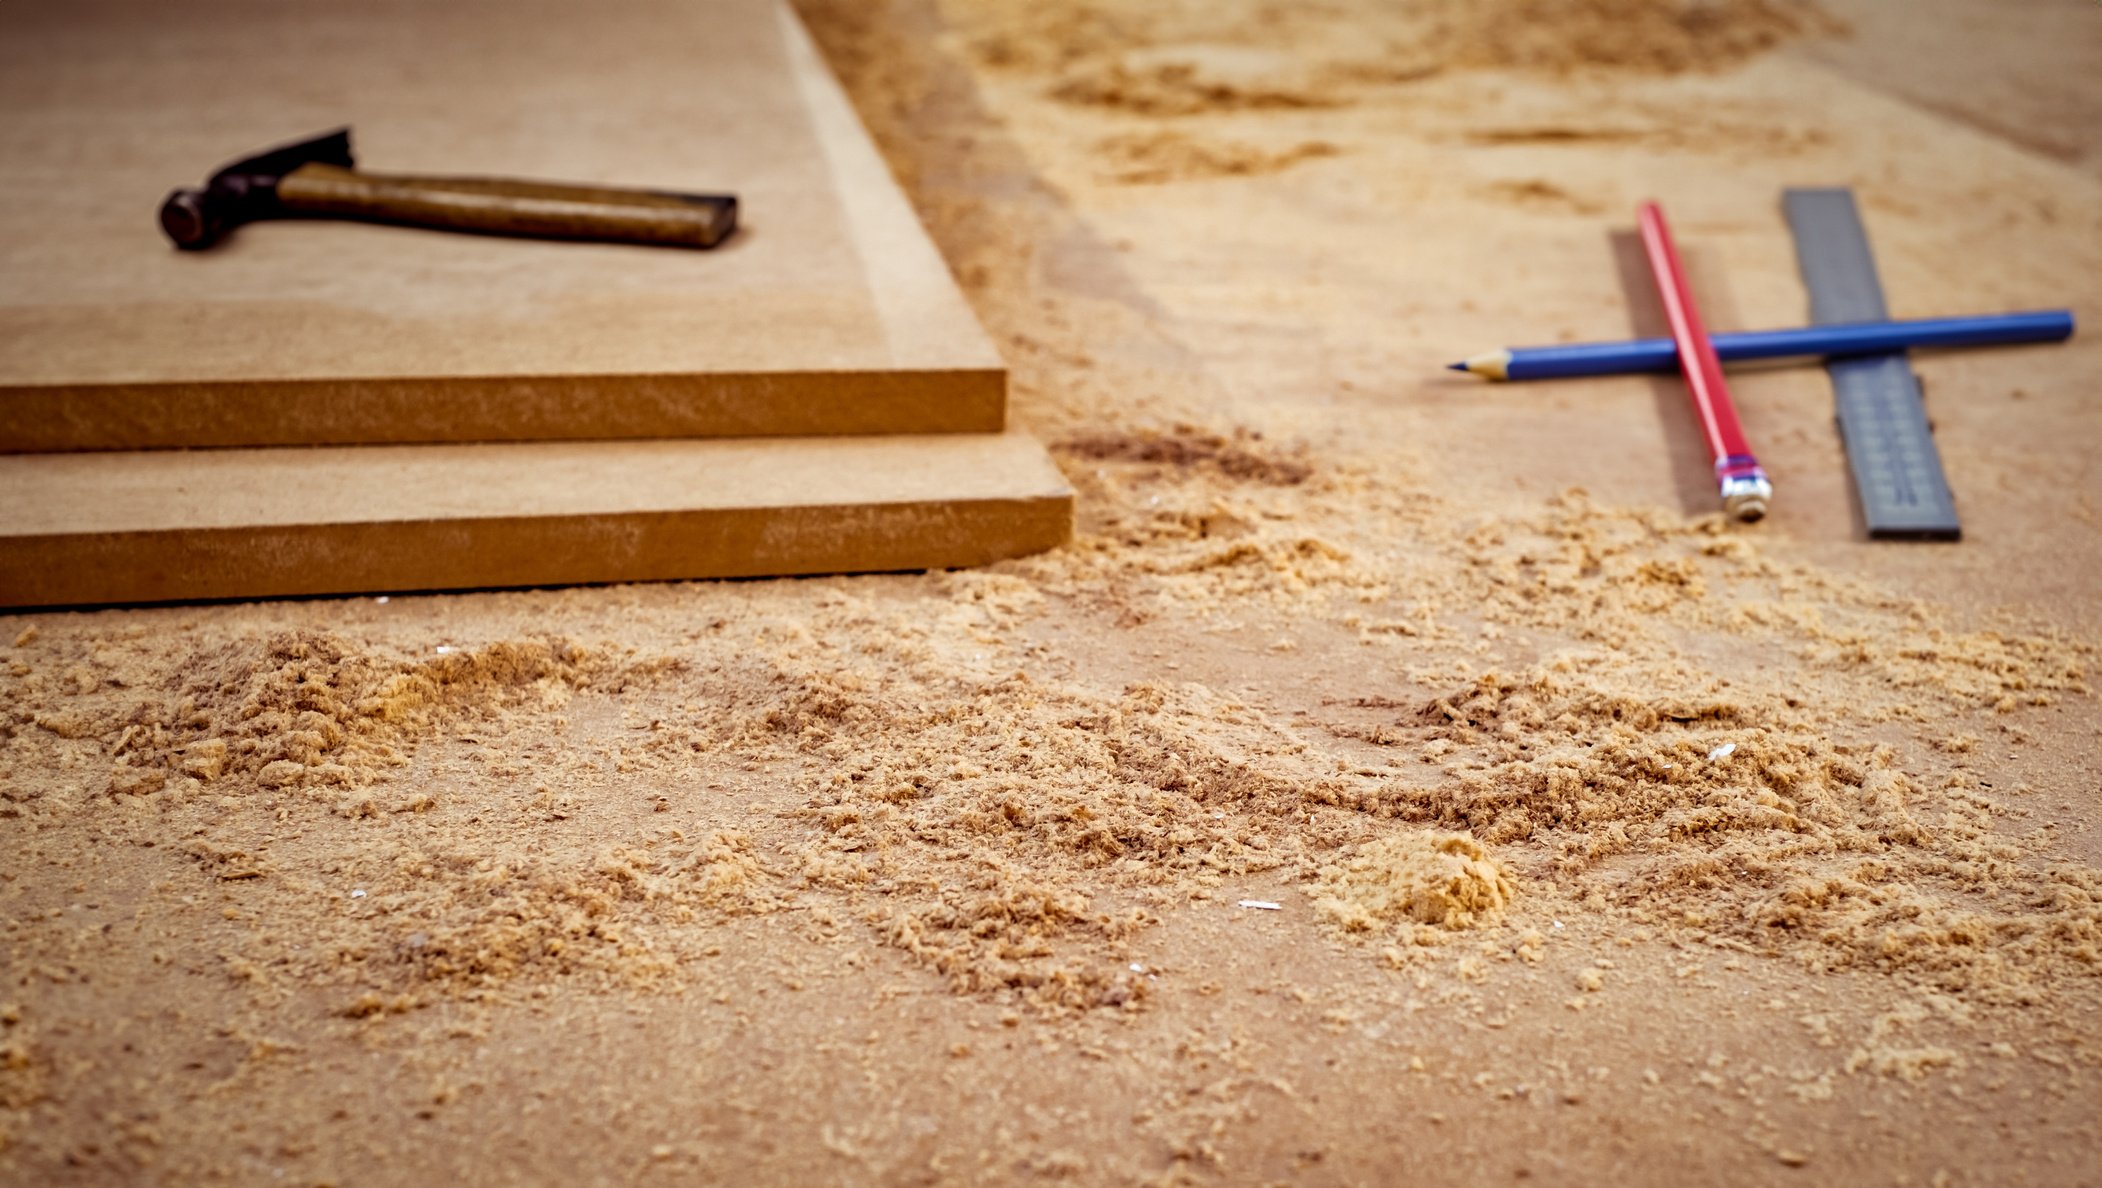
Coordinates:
<point>1441,880</point>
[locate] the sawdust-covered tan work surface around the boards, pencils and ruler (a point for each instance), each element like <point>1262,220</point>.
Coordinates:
<point>1607,840</point>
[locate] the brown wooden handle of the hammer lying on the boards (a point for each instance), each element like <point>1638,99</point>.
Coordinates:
<point>501,207</point>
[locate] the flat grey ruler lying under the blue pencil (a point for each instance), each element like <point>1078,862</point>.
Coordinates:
<point>1882,417</point>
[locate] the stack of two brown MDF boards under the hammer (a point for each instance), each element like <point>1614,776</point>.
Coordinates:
<point>333,407</point>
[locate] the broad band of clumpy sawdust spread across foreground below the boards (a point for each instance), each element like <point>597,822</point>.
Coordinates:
<point>1014,832</point>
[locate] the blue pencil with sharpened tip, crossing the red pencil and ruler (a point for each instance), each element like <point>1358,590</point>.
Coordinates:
<point>1859,340</point>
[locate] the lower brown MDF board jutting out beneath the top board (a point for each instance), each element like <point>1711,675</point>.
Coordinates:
<point>222,525</point>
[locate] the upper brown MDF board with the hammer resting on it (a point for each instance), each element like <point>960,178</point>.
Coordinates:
<point>829,312</point>
